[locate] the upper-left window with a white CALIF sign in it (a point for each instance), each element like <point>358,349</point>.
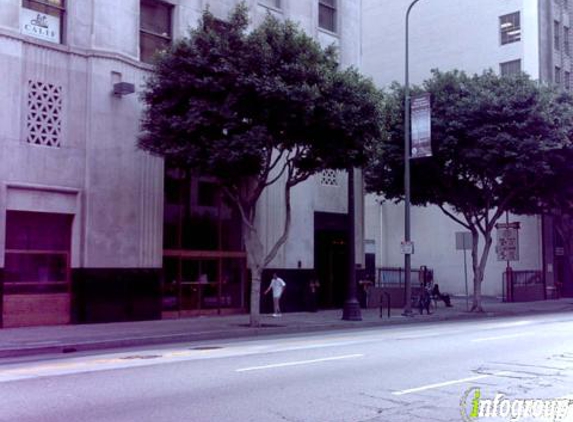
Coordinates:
<point>43,19</point>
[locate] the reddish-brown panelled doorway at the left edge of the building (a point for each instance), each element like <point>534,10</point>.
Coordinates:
<point>36,287</point>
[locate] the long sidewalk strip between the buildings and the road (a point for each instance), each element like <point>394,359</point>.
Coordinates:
<point>18,342</point>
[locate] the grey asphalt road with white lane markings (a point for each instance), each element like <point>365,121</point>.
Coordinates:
<point>413,373</point>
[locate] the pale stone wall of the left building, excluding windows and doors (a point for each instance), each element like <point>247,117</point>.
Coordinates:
<point>92,170</point>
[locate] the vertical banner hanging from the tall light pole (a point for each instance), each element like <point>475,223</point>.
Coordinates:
<point>421,126</point>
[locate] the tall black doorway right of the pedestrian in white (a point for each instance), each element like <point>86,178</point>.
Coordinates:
<point>331,258</point>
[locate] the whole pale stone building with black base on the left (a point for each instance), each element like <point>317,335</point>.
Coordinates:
<point>91,228</point>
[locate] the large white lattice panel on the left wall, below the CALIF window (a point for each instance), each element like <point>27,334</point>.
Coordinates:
<point>44,119</point>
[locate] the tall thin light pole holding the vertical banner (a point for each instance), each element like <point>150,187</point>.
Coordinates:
<point>407,236</point>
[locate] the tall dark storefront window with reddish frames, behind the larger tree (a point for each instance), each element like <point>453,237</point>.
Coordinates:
<point>204,261</point>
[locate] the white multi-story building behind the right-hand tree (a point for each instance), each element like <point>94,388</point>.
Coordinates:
<point>507,36</point>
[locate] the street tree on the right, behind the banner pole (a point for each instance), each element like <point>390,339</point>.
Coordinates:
<point>493,141</point>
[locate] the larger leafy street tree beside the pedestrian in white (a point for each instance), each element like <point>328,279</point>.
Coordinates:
<point>256,109</point>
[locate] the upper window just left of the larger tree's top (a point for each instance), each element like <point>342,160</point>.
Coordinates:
<point>155,28</point>
